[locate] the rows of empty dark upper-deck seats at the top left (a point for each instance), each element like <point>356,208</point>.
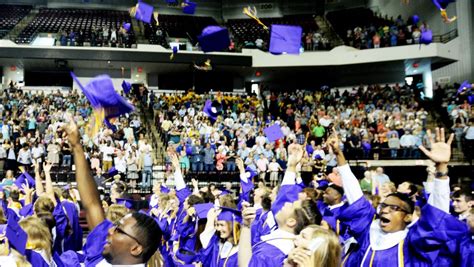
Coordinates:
<point>51,20</point>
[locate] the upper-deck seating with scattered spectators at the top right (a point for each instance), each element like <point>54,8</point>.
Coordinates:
<point>363,29</point>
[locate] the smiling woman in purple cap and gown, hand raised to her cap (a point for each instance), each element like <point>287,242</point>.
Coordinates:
<point>220,239</point>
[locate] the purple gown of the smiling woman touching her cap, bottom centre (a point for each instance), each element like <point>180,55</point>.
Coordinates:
<point>210,255</point>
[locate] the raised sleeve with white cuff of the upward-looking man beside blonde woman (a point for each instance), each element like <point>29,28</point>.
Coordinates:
<point>288,192</point>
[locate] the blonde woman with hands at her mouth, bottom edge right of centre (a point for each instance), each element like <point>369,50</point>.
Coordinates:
<point>315,247</point>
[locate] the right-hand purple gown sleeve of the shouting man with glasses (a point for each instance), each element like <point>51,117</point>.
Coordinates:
<point>435,231</point>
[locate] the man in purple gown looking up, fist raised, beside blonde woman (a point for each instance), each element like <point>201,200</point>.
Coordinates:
<point>291,216</point>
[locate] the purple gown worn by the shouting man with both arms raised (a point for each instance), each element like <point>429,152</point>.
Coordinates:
<point>435,231</point>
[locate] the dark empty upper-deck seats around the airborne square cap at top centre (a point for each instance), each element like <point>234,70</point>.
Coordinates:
<point>247,31</point>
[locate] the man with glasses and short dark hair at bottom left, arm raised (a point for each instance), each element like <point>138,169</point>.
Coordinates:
<point>130,242</point>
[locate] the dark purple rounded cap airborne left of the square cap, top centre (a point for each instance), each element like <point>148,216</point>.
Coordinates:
<point>214,38</point>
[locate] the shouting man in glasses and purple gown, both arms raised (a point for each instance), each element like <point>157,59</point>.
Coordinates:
<point>392,239</point>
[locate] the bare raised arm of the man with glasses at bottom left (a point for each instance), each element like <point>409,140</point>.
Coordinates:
<point>85,183</point>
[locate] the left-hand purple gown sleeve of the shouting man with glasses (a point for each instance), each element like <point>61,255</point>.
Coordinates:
<point>358,216</point>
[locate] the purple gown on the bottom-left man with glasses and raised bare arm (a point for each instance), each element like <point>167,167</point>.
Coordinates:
<point>95,243</point>
